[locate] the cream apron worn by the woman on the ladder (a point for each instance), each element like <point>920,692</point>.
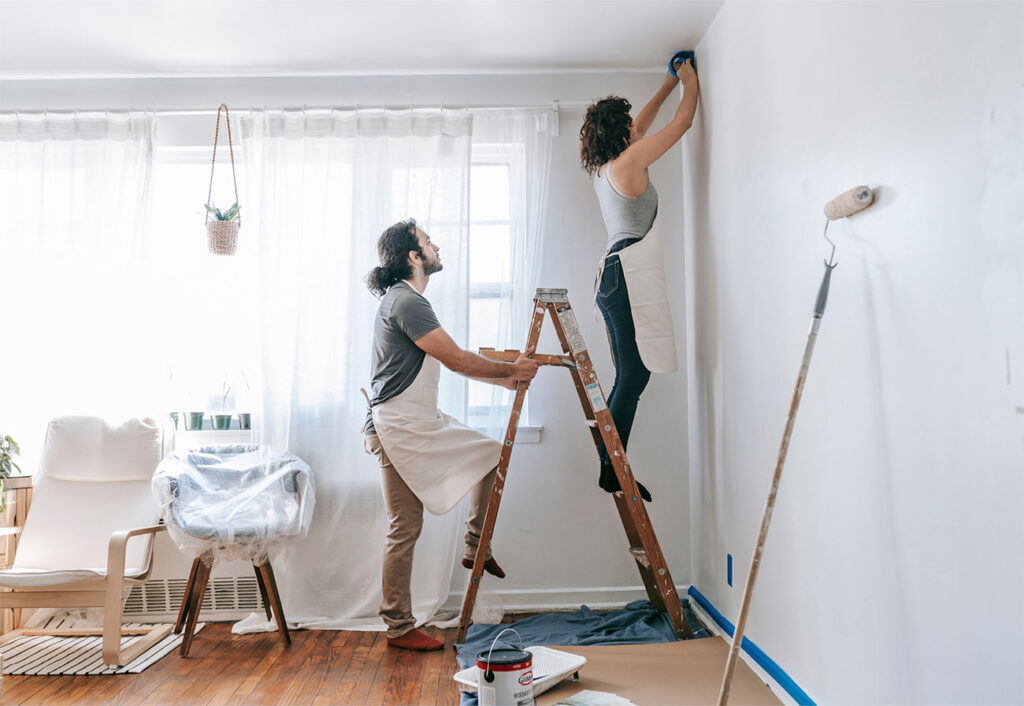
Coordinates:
<point>644,270</point>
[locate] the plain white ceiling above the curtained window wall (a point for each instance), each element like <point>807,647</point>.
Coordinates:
<point>115,38</point>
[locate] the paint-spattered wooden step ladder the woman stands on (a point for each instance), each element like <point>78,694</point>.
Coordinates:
<point>644,543</point>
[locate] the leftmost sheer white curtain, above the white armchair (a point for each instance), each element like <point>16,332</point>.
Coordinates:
<point>78,325</point>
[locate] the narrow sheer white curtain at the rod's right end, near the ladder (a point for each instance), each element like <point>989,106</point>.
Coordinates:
<point>524,138</point>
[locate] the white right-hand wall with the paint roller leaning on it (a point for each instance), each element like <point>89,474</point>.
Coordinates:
<point>893,569</point>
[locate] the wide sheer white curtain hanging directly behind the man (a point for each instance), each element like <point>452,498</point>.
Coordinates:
<point>321,188</point>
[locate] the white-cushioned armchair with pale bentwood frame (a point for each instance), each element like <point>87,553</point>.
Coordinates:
<point>92,497</point>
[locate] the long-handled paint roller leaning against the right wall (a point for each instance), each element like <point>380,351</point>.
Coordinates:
<point>844,205</point>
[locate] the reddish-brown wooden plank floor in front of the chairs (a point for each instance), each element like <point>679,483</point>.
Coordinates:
<point>321,668</point>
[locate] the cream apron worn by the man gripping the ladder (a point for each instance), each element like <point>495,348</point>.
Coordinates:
<point>440,459</point>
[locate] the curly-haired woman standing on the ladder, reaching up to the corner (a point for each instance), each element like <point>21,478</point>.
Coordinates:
<point>616,152</point>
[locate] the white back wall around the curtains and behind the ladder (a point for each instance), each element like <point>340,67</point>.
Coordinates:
<point>559,535</point>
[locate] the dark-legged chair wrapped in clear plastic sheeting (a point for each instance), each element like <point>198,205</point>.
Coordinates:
<point>233,502</point>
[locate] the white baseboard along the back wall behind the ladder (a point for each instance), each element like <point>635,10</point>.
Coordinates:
<point>557,600</point>
